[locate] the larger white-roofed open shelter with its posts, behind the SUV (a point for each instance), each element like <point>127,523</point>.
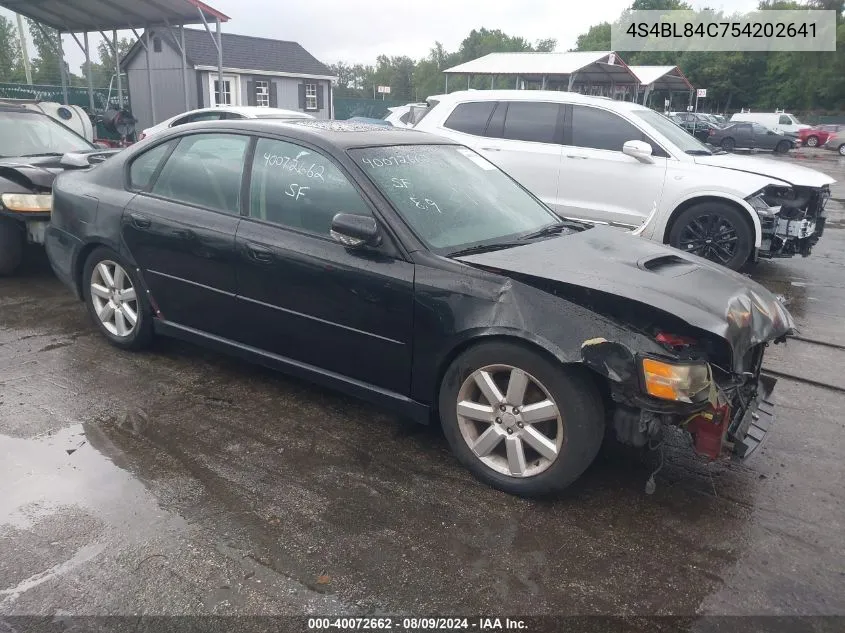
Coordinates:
<point>574,70</point>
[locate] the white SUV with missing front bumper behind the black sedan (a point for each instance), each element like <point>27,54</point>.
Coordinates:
<point>620,163</point>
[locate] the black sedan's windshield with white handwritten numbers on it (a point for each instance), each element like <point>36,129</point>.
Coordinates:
<point>452,198</point>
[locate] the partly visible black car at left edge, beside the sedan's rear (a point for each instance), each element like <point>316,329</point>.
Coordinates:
<point>34,148</point>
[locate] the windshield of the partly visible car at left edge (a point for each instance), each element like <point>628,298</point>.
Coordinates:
<point>33,134</point>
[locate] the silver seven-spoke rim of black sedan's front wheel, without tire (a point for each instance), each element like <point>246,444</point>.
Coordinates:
<point>509,421</point>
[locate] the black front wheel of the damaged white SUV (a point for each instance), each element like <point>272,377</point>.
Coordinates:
<point>718,232</point>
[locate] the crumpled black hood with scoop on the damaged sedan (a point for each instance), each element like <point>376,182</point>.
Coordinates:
<point>605,260</point>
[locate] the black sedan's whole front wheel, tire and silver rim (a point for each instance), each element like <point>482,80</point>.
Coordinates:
<point>519,422</point>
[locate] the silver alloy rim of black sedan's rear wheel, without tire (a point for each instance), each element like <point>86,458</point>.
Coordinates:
<point>114,298</point>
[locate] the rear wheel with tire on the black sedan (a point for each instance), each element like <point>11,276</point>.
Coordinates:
<point>115,300</point>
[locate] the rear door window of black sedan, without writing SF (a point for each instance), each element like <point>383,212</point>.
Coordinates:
<point>205,170</point>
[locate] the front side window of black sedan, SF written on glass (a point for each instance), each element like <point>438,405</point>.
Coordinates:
<point>299,188</point>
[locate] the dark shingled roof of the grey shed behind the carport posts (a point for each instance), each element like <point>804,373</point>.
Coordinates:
<point>244,52</point>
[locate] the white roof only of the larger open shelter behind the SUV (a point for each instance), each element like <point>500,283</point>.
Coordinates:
<point>591,66</point>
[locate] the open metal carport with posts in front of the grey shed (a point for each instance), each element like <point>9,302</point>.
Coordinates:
<point>89,16</point>
